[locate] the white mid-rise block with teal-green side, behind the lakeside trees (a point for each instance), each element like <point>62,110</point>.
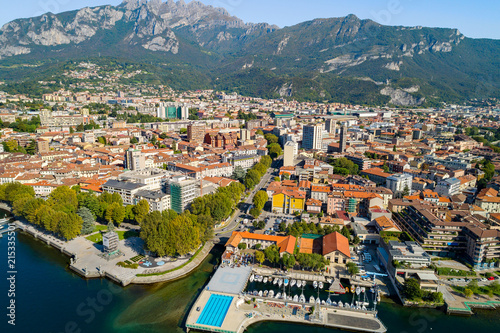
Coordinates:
<point>182,192</point>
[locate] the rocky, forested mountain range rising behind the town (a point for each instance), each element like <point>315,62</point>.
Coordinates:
<point>195,46</point>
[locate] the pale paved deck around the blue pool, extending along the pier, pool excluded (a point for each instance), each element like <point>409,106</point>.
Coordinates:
<point>242,315</point>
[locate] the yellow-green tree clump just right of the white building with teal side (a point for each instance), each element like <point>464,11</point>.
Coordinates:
<point>220,204</point>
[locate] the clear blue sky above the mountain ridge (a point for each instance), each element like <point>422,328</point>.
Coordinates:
<point>474,19</point>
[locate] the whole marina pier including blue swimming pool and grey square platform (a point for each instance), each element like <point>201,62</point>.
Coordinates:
<point>223,307</point>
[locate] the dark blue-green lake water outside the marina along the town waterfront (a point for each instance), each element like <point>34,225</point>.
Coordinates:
<point>50,298</point>
